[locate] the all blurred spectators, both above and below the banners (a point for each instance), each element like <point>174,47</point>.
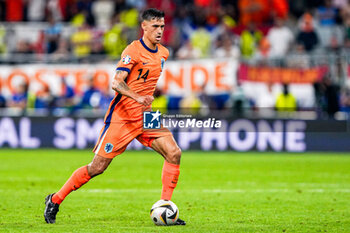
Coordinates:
<point>288,33</point>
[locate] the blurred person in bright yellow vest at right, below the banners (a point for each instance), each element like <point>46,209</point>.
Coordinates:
<point>286,102</point>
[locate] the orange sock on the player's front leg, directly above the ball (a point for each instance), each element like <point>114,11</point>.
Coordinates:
<point>170,175</point>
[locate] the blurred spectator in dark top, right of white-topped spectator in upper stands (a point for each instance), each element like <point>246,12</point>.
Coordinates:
<point>307,36</point>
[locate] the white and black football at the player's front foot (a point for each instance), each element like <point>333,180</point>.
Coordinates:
<point>164,213</point>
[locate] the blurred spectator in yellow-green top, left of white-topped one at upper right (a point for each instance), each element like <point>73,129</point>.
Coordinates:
<point>250,39</point>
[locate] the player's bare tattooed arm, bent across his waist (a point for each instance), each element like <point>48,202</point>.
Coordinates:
<point>120,86</point>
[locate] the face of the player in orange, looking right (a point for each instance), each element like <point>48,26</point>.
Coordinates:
<point>153,29</point>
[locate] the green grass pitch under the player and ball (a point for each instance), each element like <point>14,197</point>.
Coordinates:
<point>217,192</point>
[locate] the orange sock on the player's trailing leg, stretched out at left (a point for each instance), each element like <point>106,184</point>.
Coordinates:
<point>78,178</point>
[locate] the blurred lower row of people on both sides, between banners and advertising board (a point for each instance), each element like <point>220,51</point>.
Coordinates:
<point>330,99</point>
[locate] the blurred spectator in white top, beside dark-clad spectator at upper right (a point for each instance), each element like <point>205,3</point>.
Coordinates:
<point>280,38</point>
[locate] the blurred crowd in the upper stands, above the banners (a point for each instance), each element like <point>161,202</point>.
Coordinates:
<point>94,30</point>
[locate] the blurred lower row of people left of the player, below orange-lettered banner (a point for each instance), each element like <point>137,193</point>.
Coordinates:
<point>68,102</point>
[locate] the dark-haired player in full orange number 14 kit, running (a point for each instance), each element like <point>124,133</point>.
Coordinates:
<point>134,82</point>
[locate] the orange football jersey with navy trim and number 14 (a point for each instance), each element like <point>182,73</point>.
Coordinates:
<point>144,66</point>
